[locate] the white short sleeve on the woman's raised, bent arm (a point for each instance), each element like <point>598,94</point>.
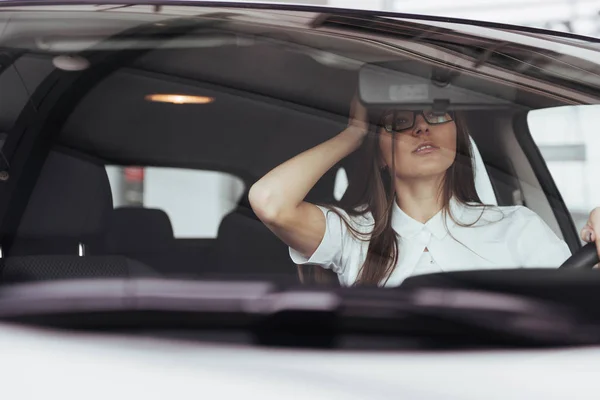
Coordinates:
<point>329,253</point>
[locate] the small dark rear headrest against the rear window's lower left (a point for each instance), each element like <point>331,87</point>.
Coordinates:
<point>138,230</point>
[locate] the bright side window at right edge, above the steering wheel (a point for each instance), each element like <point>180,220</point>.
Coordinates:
<point>567,138</point>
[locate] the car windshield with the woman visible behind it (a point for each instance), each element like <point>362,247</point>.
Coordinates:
<point>209,144</point>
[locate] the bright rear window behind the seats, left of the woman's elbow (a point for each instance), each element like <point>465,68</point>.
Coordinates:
<point>195,201</point>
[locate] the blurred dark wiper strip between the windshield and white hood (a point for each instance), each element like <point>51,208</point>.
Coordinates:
<point>300,316</point>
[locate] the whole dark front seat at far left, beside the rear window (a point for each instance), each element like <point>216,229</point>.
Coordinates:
<point>61,231</point>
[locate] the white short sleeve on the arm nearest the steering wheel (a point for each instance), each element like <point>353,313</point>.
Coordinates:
<point>537,245</point>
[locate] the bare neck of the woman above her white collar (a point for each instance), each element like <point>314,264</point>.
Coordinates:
<point>420,199</point>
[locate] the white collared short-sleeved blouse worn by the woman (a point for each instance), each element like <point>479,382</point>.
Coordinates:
<point>499,237</point>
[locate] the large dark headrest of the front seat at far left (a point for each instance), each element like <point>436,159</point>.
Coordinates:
<point>71,198</point>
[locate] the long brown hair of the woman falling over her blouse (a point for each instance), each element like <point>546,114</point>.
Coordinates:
<point>373,191</point>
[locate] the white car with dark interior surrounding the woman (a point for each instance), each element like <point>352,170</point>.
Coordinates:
<point>119,111</point>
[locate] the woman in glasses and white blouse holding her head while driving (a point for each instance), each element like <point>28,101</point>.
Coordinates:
<point>419,212</point>
